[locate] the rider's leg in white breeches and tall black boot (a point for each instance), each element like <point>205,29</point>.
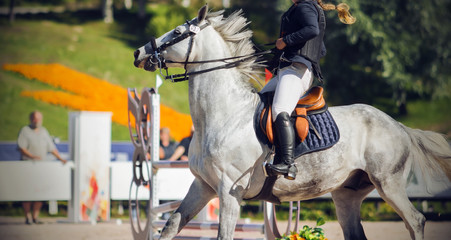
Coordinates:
<point>293,82</point>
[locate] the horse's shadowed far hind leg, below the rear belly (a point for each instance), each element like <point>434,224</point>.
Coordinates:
<point>347,203</point>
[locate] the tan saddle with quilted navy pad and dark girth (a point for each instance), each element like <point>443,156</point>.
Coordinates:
<point>315,128</point>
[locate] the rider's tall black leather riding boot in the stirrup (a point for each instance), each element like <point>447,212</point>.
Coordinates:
<point>284,140</point>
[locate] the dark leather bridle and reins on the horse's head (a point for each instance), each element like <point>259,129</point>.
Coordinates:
<point>157,57</point>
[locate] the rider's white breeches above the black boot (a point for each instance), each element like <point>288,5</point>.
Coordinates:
<point>289,85</point>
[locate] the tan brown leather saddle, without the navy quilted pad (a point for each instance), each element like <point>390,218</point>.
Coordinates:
<point>311,103</point>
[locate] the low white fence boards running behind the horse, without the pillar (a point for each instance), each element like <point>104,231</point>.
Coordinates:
<point>41,181</point>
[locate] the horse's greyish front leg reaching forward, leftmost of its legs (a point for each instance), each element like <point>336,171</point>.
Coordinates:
<point>198,196</point>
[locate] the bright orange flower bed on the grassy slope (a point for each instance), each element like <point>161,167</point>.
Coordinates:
<point>87,93</point>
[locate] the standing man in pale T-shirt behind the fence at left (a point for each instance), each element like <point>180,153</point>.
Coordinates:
<point>34,143</point>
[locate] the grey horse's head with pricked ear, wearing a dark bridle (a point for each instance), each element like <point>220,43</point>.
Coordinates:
<point>173,48</point>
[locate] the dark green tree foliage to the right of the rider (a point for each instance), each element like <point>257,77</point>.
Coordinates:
<point>403,45</point>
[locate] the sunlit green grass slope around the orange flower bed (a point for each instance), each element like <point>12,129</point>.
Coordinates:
<point>94,48</point>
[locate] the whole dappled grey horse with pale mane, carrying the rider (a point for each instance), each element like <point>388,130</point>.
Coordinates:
<point>374,151</point>
